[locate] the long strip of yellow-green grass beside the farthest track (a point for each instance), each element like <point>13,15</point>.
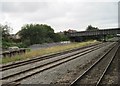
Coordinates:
<point>44,51</point>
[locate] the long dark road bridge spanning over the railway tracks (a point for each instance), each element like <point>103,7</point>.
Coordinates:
<point>102,33</point>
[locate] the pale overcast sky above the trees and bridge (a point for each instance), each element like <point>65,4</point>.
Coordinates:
<point>60,15</point>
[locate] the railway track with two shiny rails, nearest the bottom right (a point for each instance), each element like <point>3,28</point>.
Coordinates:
<point>95,73</point>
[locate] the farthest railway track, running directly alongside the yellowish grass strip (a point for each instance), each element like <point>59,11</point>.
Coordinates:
<point>22,63</point>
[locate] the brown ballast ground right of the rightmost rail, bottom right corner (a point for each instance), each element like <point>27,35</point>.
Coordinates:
<point>111,76</point>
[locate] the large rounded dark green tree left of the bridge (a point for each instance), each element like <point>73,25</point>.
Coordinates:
<point>36,33</point>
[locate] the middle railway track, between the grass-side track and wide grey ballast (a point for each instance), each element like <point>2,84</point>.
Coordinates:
<point>17,77</point>
